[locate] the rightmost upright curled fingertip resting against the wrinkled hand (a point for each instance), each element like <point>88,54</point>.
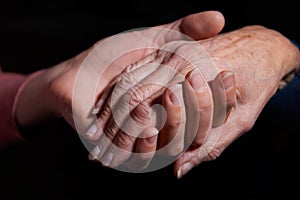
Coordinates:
<point>224,96</point>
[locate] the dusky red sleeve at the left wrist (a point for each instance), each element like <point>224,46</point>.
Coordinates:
<point>10,84</point>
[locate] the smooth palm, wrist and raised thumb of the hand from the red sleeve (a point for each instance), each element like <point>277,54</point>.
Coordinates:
<point>52,92</point>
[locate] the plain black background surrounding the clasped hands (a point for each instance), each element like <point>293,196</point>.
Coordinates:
<point>40,34</point>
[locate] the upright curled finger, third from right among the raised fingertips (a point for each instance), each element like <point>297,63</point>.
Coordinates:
<point>171,138</point>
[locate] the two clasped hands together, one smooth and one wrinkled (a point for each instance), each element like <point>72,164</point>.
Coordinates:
<point>212,88</point>
